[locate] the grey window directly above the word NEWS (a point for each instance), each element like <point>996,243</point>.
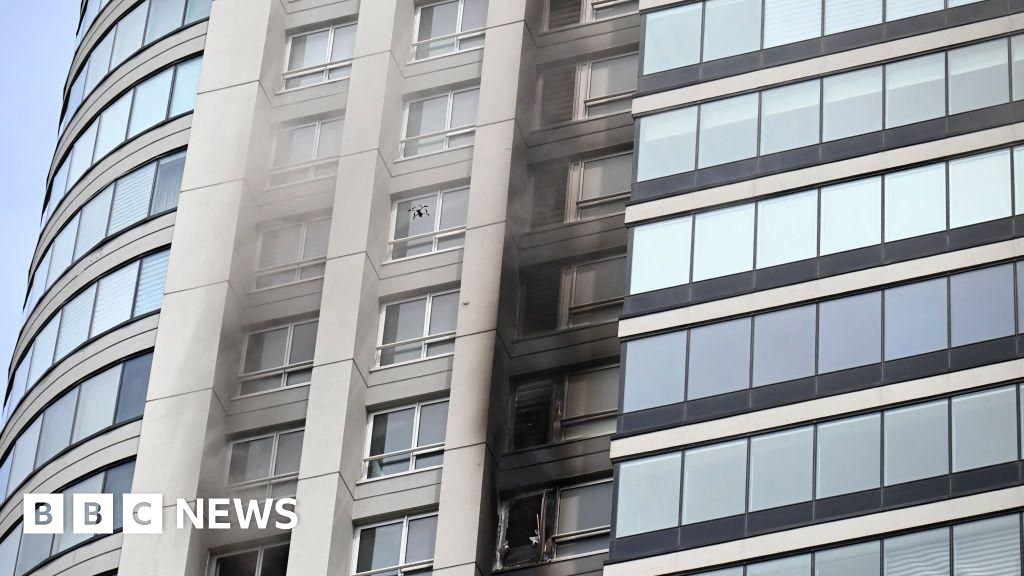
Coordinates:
<point>266,467</point>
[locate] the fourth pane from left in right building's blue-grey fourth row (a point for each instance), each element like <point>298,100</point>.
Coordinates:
<point>849,333</point>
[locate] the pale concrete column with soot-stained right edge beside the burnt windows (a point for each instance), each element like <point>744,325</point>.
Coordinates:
<point>465,524</point>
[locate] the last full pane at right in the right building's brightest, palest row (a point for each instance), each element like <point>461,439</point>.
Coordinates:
<point>979,189</point>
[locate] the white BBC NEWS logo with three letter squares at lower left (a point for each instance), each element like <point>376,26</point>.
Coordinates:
<point>143,514</point>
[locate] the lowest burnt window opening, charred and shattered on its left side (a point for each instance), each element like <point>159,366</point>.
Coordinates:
<point>556,524</point>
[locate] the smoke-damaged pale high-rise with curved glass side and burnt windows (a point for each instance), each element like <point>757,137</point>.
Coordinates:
<point>368,255</point>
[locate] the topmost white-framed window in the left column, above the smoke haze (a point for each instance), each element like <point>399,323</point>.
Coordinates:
<point>321,56</point>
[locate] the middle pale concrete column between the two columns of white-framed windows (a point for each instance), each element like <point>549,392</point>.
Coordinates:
<point>332,450</point>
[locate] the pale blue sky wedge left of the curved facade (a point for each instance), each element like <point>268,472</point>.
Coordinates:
<point>39,40</point>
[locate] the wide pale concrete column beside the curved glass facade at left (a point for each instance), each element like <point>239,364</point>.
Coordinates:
<point>194,371</point>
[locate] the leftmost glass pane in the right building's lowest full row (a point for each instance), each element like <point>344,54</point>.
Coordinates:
<point>649,495</point>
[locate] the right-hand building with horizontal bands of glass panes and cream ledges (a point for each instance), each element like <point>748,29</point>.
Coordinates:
<point>822,335</point>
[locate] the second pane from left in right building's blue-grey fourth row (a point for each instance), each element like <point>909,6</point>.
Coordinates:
<point>720,359</point>
